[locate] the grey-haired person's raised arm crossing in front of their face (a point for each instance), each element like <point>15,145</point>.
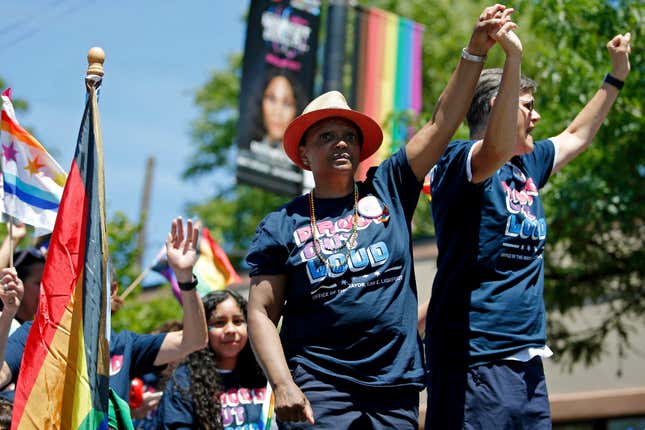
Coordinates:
<point>501,135</point>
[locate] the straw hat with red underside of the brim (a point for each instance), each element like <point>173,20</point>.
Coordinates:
<point>330,105</point>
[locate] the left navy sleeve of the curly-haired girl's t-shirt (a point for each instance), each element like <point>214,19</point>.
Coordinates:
<point>176,407</point>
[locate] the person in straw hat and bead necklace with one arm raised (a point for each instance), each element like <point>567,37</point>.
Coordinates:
<point>337,263</point>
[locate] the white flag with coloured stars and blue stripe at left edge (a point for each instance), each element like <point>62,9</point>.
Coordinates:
<point>33,180</point>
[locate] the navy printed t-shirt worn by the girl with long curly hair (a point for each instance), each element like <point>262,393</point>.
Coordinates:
<point>241,406</point>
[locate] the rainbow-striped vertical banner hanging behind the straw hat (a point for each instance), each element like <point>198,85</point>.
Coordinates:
<point>387,75</point>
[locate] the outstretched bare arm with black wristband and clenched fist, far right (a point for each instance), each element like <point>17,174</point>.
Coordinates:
<point>579,134</point>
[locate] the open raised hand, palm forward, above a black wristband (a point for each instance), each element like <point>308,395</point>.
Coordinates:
<point>182,249</point>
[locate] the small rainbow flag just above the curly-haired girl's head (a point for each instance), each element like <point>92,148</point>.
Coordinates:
<point>213,269</point>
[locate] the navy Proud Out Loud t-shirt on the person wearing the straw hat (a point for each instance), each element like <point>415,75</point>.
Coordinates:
<point>355,320</point>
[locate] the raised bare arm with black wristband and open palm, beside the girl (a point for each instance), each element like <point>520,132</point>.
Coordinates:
<point>182,256</point>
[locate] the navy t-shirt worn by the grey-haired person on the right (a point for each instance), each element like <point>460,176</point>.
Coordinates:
<point>487,298</point>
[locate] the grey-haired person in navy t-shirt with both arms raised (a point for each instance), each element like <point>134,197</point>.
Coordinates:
<point>486,325</point>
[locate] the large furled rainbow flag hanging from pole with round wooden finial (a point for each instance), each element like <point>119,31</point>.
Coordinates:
<point>64,373</point>
